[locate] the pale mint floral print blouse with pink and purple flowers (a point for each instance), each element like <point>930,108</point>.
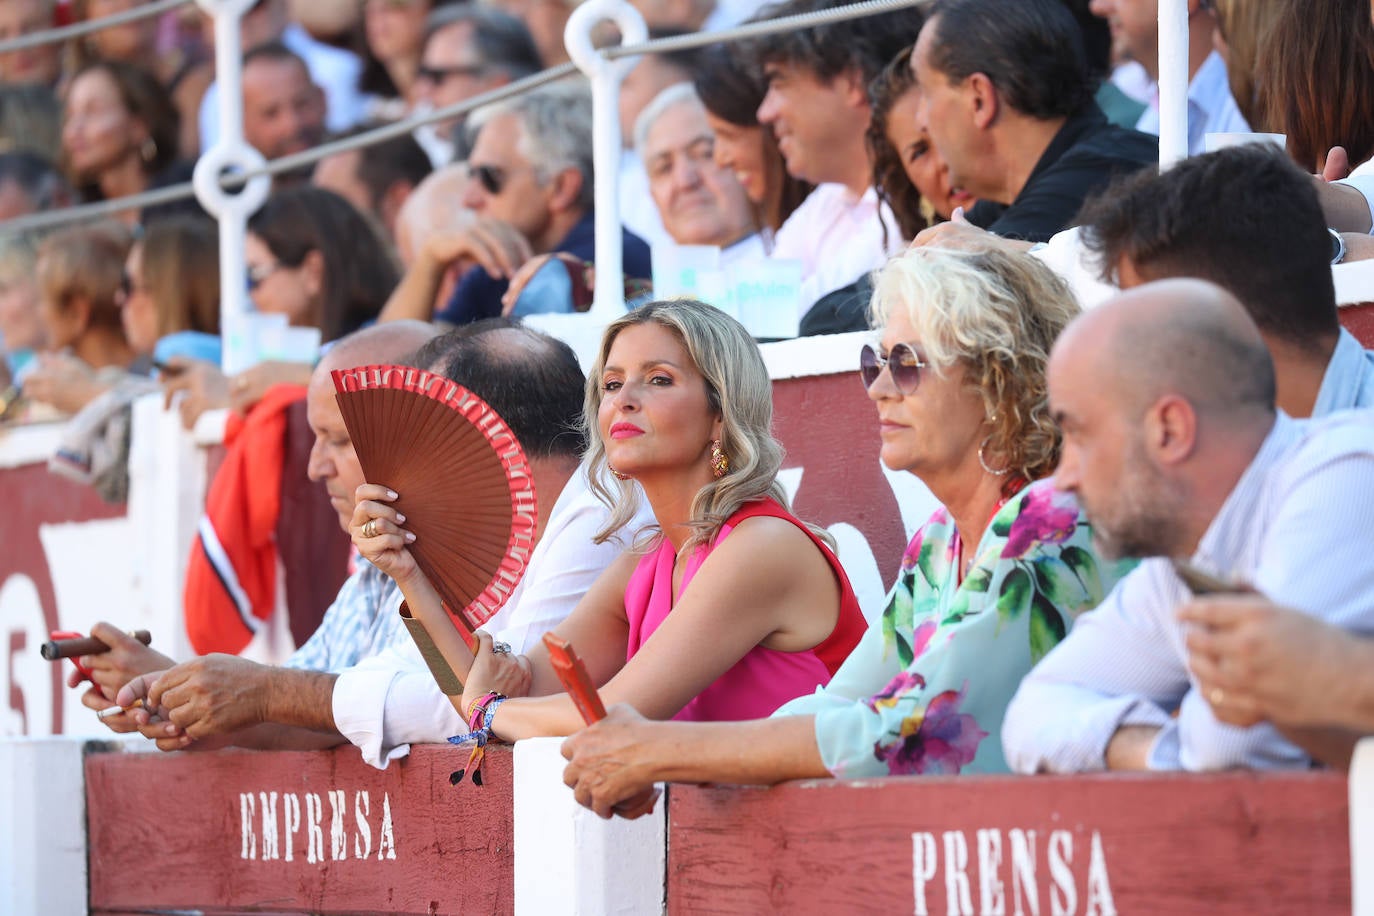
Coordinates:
<point>925,693</point>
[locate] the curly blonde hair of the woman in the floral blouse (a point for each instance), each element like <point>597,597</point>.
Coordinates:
<point>998,314</point>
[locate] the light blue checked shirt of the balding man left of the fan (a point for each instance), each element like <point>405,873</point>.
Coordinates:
<point>362,623</point>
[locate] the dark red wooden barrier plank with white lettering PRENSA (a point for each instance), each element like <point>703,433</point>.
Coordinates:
<point>1181,845</point>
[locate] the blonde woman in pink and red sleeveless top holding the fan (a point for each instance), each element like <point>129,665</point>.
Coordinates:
<point>729,608</point>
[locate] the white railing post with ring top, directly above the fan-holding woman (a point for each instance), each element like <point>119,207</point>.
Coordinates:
<point>609,293</point>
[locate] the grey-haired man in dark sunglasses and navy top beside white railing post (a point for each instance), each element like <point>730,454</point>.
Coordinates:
<point>531,190</point>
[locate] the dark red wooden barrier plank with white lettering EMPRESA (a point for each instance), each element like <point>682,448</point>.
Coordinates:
<point>168,832</point>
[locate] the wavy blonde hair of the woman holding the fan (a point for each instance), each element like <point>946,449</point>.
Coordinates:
<point>737,388</point>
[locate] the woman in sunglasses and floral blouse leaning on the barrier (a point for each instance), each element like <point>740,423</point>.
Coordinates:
<point>987,587</point>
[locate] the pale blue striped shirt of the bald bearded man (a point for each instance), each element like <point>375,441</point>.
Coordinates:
<point>1299,527</point>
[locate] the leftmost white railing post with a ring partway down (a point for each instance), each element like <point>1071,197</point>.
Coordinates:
<point>230,154</point>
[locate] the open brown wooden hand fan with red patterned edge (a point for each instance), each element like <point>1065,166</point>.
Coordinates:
<point>465,487</point>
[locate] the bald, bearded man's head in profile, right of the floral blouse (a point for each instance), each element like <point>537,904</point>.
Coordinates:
<point>1163,395</point>
